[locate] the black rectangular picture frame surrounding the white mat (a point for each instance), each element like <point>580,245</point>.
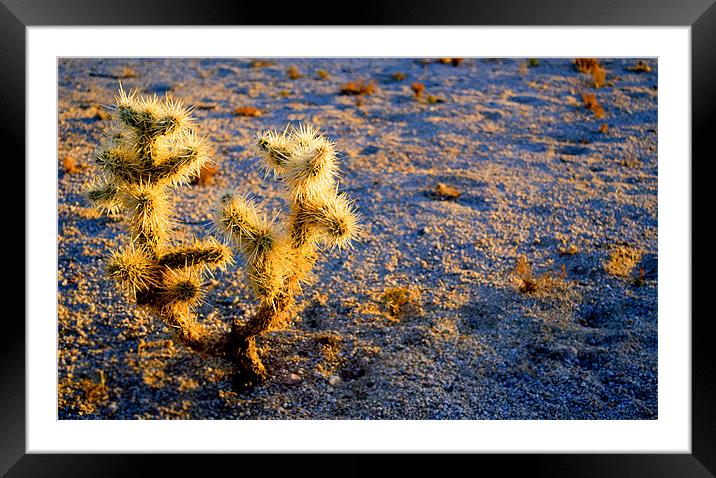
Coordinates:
<point>700,15</point>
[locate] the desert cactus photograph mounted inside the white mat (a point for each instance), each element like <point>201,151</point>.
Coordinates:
<point>357,238</point>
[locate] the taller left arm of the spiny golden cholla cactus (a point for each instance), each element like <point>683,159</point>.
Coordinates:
<point>151,149</point>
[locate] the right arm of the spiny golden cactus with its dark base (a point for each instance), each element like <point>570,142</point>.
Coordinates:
<point>278,257</point>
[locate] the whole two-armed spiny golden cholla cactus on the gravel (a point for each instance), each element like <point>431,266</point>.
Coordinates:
<point>153,148</point>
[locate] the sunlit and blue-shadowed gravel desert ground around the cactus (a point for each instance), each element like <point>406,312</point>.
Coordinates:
<point>426,318</point>
